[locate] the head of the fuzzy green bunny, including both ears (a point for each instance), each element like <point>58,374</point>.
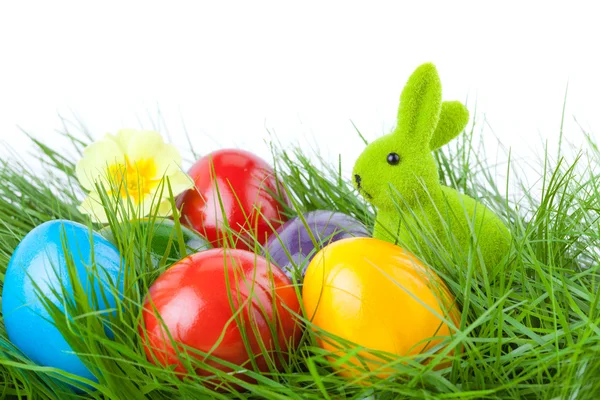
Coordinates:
<point>404,159</point>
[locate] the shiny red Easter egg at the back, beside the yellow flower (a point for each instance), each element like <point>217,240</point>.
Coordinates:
<point>235,196</point>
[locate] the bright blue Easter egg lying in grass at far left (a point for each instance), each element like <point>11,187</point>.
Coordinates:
<point>41,258</point>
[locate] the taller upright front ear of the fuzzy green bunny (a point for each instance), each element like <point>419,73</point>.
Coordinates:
<point>420,106</point>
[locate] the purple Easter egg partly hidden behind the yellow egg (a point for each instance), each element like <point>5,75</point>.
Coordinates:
<point>298,240</point>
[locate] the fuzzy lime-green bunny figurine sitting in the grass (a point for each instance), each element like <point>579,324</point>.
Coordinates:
<point>397,173</point>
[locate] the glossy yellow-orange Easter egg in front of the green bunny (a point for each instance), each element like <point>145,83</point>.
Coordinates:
<point>379,296</point>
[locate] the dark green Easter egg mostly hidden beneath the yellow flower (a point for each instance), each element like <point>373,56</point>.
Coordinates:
<point>164,239</point>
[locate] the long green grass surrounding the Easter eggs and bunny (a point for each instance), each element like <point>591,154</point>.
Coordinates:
<point>532,332</point>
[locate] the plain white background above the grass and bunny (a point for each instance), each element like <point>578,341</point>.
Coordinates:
<point>233,71</point>
